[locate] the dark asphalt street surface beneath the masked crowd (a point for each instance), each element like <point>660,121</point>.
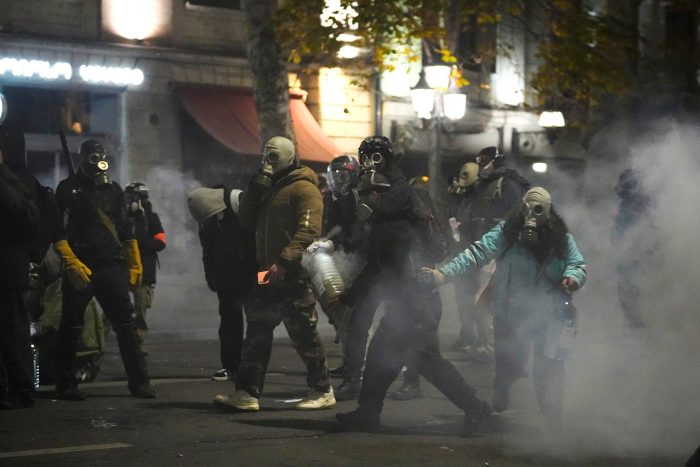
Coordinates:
<point>182,427</point>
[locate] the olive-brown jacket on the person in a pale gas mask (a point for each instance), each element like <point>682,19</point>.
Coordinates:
<point>289,219</point>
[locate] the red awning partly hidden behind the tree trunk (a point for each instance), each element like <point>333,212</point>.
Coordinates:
<point>228,115</point>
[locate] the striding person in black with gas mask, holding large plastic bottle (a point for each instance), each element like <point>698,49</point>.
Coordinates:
<point>407,333</point>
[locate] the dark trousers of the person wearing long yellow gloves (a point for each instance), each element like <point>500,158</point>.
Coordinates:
<point>109,283</point>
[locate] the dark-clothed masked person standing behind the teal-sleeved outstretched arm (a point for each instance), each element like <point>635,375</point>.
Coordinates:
<point>495,194</point>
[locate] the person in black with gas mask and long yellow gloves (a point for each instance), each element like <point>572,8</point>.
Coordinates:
<point>101,258</point>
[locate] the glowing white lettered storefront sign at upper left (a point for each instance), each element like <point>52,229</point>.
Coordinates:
<point>62,71</point>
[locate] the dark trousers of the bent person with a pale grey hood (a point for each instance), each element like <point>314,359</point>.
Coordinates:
<point>231,309</point>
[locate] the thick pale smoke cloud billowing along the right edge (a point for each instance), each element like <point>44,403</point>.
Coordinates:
<point>630,392</point>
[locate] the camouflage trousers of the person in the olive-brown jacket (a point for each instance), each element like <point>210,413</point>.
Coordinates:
<point>296,309</point>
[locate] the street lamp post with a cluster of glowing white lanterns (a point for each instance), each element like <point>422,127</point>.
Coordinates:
<point>434,97</point>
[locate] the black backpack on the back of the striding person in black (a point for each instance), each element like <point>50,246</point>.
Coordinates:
<point>429,225</point>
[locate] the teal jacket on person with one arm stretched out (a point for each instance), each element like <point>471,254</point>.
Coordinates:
<point>521,290</point>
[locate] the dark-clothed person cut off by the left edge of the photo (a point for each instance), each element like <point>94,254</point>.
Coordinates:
<point>21,225</point>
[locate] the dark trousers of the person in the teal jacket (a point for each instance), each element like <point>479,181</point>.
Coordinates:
<point>512,351</point>
